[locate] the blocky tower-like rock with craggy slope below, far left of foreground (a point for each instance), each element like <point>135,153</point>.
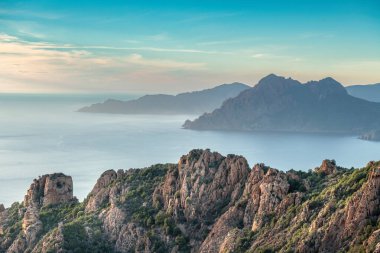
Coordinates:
<point>48,190</point>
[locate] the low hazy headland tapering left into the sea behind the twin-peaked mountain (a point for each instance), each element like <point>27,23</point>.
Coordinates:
<point>196,102</point>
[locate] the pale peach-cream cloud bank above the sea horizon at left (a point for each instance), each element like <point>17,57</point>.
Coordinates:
<point>46,66</point>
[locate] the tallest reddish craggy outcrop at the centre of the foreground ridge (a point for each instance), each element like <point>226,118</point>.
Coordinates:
<point>201,188</point>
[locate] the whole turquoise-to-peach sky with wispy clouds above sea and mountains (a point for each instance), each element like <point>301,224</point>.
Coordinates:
<point>174,46</point>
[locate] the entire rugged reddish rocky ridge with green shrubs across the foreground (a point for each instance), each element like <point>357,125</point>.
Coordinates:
<point>205,203</point>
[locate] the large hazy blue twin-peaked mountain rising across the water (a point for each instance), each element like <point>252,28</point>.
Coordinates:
<point>283,104</point>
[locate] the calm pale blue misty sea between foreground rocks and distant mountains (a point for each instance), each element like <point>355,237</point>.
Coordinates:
<point>42,134</point>
